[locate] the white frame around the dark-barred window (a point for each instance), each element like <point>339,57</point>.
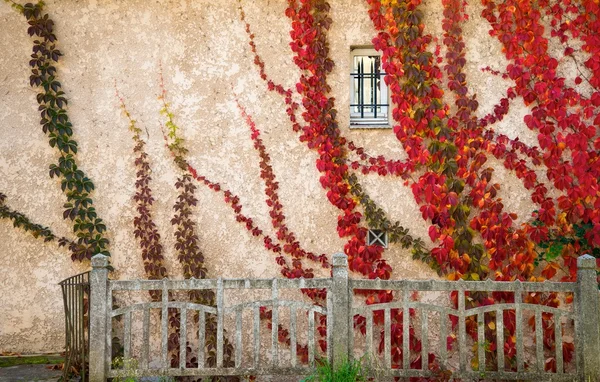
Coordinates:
<point>368,120</point>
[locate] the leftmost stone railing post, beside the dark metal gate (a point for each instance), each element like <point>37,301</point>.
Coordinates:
<point>98,316</point>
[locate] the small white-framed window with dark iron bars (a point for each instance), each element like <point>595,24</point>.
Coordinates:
<point>369,105</point>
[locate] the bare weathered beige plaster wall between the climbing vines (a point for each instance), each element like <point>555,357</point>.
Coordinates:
<point>207,62</point>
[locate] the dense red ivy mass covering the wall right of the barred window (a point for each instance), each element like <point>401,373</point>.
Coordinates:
<point>456,192</point>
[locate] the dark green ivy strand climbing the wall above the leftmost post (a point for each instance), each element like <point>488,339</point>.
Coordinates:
<point>55,124</point>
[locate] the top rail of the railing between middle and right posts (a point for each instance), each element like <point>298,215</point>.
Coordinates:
<point>475,286</point>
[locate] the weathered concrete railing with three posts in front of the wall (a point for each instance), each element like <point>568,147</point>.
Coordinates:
<point>429,321</point>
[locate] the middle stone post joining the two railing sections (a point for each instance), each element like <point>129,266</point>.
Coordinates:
<point>341,311</point>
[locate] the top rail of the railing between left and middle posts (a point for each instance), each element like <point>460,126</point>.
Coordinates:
<point>191,284</point>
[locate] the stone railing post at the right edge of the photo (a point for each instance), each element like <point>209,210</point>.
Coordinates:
<point>589,318</point>
